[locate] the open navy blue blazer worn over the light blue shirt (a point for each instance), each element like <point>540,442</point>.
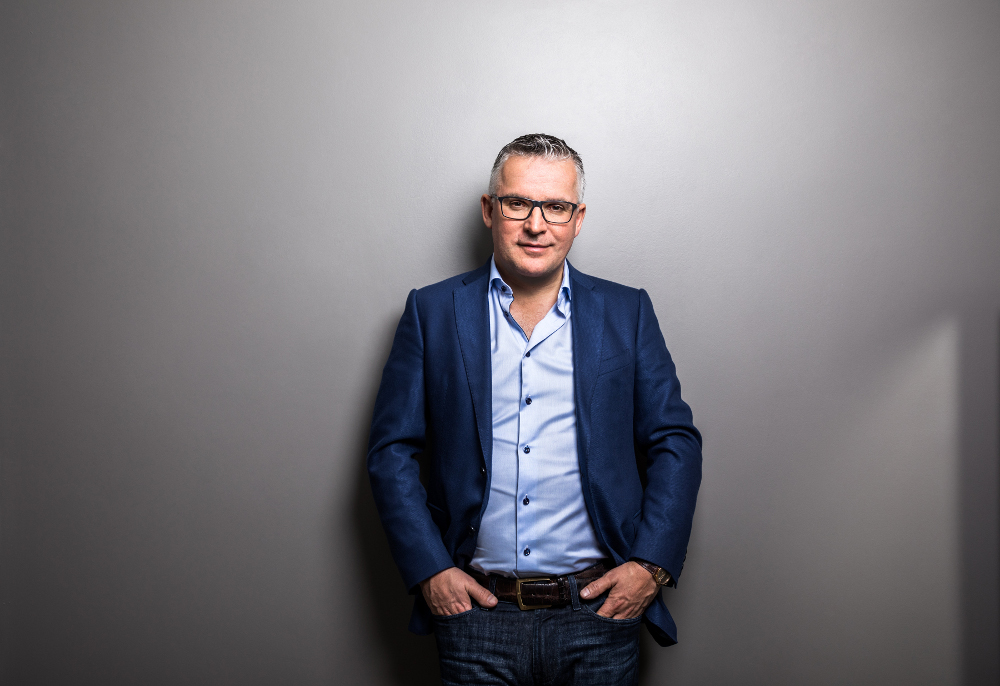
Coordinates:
<point>640,454</point>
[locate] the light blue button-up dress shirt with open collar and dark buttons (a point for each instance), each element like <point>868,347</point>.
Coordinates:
<point>536,521</point>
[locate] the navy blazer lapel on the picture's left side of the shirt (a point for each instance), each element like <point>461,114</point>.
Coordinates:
<point>472,318</point>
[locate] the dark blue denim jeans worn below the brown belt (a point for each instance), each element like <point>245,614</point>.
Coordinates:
<point>571,645</point>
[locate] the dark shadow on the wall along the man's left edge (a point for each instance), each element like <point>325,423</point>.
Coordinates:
<point>412,659</point>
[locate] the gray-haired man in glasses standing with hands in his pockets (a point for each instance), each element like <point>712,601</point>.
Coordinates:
<point>561,465</point>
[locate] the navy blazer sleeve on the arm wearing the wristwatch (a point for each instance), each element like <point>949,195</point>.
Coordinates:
<point>664,432</point>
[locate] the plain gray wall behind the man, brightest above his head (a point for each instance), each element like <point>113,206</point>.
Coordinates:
<point>213,211</point>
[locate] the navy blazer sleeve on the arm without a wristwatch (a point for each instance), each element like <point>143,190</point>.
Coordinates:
<point>398,436</point>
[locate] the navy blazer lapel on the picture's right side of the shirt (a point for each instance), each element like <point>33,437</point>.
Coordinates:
<point>588,336</point>
